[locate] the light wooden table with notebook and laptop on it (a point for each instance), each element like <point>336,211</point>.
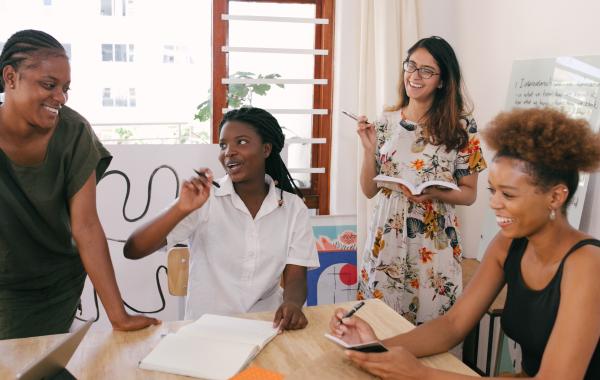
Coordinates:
<point>303,354</point>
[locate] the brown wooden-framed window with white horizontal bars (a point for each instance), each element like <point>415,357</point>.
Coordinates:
<point>287,44</point>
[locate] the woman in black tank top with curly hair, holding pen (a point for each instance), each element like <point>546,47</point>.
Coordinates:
<point>552,270</point>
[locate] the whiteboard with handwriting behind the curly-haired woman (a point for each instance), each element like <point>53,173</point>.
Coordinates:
<point>570,84</point>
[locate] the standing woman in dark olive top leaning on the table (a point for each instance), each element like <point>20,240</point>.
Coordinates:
<point>50,161</point>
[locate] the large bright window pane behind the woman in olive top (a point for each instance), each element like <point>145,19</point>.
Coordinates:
<point>161,100</point>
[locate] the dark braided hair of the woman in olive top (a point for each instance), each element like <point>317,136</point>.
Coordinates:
<point>23,45</point>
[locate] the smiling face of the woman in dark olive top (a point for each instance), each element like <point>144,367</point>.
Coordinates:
<point>39,88</point>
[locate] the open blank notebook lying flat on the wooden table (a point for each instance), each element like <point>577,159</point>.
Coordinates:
<point>213,347</point>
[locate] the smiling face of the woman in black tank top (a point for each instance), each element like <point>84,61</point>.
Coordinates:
<point>522,208</point>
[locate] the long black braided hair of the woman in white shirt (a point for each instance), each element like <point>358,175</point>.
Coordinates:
<point>270,131</point>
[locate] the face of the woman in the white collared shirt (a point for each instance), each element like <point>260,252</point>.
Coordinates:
<point>243,152</point>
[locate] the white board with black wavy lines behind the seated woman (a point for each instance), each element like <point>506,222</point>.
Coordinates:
<point>137,278</point>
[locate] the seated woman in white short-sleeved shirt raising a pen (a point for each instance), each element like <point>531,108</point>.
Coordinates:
<point>244,234</point>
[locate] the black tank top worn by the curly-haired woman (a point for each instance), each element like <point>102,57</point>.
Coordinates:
<point>529,315</point>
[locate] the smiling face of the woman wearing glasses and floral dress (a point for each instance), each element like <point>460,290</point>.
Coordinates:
<point>417,87</point>
